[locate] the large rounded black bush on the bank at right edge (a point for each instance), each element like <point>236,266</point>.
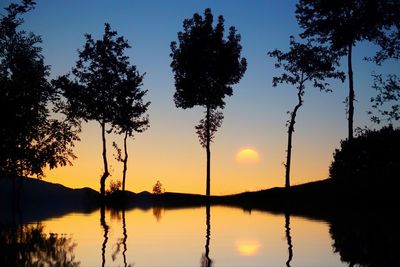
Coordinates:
<point>371,158</point>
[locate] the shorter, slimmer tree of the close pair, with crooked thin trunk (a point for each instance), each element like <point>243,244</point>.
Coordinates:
<point>130,114</point>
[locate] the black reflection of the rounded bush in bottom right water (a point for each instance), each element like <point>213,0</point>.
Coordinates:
<point>367,239</point>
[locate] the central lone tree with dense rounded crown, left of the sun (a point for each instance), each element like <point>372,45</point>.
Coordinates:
<point>205,67</point>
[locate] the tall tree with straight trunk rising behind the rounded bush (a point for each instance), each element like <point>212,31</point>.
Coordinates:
<point>342,24</point>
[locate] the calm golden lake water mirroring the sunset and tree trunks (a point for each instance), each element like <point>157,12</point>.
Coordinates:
<point>201,236</point>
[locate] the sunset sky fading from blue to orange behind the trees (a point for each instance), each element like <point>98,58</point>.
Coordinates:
<point>255,116</point>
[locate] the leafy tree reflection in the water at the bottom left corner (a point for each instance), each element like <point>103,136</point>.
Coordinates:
<point>28,245</point>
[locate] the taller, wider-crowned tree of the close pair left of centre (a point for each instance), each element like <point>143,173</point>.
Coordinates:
<point>104,86</point>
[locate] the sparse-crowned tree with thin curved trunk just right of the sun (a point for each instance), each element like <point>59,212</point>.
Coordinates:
<point>303,63</point>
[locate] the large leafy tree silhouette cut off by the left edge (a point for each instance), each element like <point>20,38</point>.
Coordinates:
<point>30,139</point>
